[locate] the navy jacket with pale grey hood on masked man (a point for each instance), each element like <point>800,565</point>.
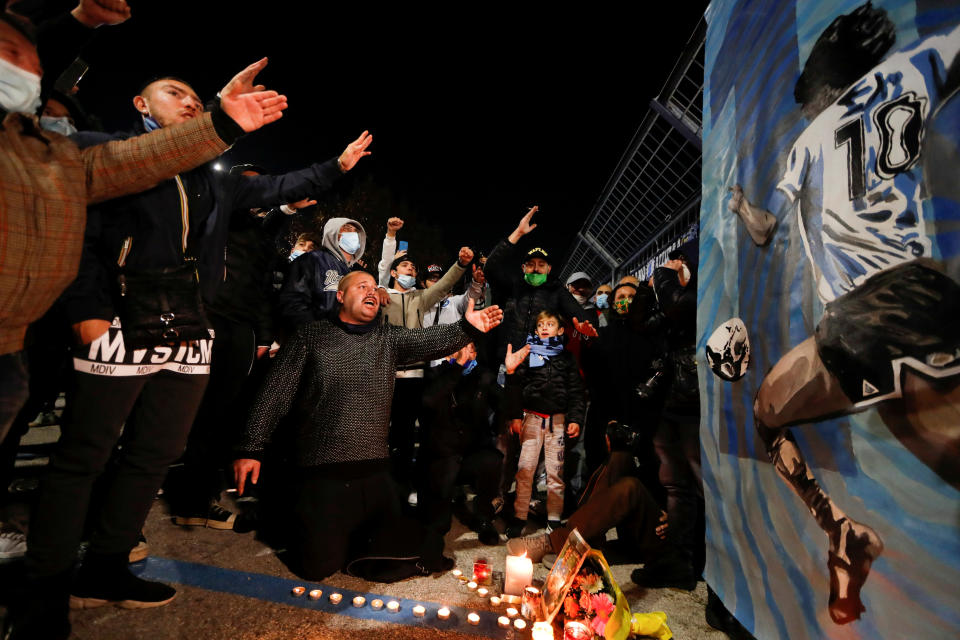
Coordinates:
<point>310,291</point>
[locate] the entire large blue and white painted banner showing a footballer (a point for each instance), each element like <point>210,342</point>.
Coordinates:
<point>830,226</point>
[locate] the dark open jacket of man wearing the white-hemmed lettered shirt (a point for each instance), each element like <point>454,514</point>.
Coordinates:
<point>146,230</point>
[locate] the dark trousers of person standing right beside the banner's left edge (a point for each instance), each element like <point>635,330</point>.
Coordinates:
<point>677,443</point>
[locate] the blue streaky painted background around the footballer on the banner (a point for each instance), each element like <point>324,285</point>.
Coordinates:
<point>767,559</point>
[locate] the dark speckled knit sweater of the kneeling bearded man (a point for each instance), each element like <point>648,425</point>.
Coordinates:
<point>337,384</point>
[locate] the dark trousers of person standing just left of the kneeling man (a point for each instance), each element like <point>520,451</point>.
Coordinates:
<point>220,419</point>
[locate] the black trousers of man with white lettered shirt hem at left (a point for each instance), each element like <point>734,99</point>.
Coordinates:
<point>161,408</point>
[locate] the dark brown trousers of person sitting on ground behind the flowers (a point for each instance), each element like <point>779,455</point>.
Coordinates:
<point>616,500</point>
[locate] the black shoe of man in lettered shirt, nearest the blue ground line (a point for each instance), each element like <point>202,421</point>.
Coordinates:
<point>104,580</point>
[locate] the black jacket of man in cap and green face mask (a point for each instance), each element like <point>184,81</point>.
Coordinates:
<point>524,301</point>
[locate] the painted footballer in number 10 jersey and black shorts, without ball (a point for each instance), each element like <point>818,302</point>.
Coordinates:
<point>890,330</point>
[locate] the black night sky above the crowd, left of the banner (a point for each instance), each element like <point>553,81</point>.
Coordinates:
<point>477,112</point>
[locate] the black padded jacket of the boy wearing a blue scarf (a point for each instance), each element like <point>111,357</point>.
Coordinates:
<point>556,387</point>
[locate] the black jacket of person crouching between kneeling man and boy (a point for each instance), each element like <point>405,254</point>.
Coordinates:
<point>457,410</point>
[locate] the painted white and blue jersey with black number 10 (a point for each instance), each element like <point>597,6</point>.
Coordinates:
<point>867,216</point>
